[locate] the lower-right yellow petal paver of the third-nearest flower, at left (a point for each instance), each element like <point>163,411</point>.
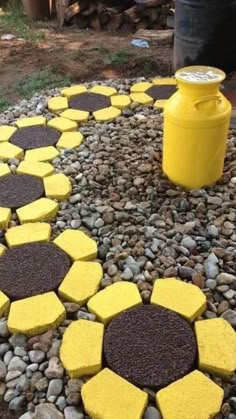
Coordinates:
<point>43,209</point>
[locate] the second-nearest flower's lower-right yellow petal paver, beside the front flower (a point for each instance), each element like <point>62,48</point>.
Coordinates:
<point>81,282</point>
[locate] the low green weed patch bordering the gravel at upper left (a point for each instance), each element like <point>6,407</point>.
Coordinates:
<point>45,79</point>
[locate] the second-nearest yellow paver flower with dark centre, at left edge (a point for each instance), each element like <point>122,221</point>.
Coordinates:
<point>32,269</point>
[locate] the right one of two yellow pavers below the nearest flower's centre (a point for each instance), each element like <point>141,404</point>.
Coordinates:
<point>193,397</point>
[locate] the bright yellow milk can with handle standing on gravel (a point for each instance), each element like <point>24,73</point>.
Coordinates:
<point>196,123</point>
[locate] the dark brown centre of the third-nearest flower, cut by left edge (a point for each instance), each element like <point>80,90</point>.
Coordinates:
<point>19,190</point>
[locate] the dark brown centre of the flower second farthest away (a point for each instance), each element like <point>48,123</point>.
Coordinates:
<point>90,102</point>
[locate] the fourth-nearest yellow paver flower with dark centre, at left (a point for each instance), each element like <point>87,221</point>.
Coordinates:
<point>37,140</point>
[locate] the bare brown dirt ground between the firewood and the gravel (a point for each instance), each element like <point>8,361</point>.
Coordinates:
<point>82,54</point>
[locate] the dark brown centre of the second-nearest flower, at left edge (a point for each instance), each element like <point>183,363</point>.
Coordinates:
<point>32,269</point>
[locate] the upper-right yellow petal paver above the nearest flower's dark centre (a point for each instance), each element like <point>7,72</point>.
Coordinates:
<point>186,299</point>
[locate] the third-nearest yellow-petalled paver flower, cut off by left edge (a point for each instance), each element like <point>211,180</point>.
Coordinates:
<point>30,192</point>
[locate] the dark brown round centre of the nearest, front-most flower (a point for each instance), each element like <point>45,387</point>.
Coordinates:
<point>150,346</point>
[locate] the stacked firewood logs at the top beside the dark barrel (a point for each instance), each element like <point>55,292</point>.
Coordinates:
<point>115,14</point>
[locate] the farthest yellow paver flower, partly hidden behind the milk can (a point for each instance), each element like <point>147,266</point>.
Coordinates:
<point>155,93</point>
